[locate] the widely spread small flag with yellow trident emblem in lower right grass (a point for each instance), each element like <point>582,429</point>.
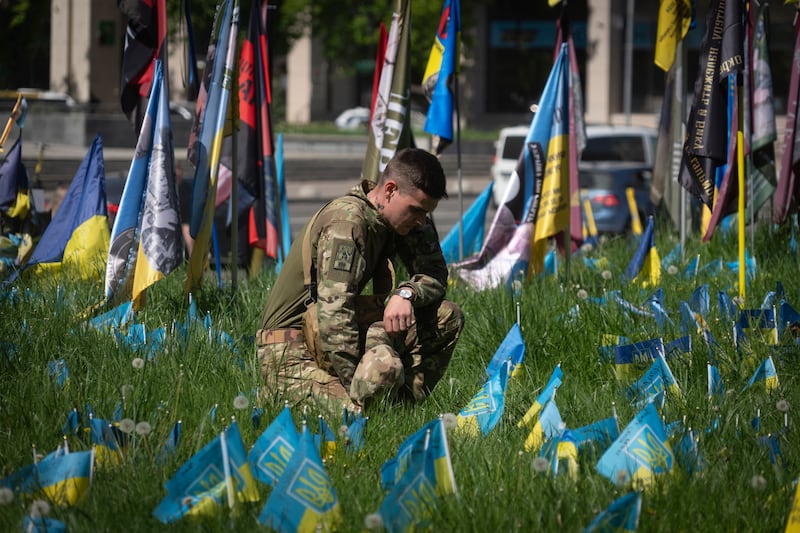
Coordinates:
<point>640,452</point>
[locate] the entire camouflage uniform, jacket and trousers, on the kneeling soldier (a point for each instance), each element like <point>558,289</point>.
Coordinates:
<point>356,359</point>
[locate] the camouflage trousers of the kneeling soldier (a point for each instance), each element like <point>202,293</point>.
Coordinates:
<point>405,366</point>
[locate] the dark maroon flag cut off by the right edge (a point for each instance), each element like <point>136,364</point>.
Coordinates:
<point>787,194</point>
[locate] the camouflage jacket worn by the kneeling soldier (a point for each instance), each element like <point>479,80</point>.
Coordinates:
<point>350,245</point>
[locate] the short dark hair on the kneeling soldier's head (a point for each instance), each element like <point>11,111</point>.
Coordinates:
<point>419,169</point>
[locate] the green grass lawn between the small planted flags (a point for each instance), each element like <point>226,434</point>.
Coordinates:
<point>498,487</point>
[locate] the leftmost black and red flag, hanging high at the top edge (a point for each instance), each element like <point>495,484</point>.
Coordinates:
<point>145,40</point>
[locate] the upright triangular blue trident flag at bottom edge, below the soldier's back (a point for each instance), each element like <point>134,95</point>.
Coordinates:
<point>304,498</point>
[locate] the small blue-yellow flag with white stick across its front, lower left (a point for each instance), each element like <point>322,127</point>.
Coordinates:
<point>216,476</point>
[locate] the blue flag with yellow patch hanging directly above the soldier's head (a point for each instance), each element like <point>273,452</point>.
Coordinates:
<point>438,80</point>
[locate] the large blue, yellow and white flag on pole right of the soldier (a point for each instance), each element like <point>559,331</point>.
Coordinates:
<point>507,247</point>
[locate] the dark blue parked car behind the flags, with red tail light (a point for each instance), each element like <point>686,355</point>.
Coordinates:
<point>605,185</point>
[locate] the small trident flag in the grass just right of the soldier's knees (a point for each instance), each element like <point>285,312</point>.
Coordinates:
<point>485,410</point>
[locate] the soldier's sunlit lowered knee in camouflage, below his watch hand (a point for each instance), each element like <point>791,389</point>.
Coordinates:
<point>380,371</point>
